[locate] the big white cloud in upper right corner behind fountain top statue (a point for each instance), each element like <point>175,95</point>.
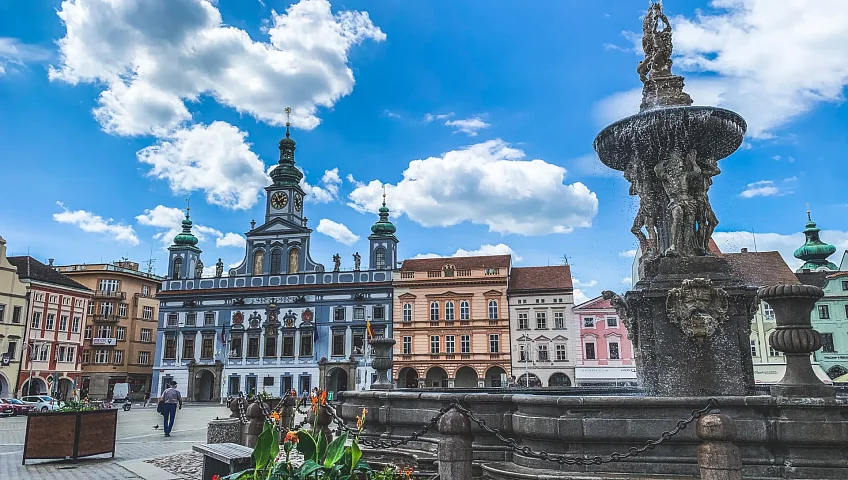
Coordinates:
<point>761,54</point>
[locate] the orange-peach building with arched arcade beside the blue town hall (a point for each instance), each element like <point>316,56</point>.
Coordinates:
<point>451,322</point>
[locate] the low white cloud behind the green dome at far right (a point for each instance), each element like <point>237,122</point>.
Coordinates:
<point>730,242</point>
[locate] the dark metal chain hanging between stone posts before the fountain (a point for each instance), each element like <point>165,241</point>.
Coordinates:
<point>712,404</point>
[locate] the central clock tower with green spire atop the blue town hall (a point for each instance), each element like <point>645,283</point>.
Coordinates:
<point>284,198</point>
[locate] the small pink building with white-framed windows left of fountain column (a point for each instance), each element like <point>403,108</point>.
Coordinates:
<point>605,355</point>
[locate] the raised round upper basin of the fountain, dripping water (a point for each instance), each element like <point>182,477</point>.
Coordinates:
<point>713,132</point>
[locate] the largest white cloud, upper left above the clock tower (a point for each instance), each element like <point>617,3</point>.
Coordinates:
<point>153,56</point>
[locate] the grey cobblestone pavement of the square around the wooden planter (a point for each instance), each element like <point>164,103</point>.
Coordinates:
<point>136,439</point>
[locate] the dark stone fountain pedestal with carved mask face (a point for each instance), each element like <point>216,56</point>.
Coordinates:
<point>690,326</point>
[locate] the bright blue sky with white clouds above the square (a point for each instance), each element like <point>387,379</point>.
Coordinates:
<point>478,116</point>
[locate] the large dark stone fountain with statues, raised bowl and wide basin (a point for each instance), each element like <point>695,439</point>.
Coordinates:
<point>689,319</point>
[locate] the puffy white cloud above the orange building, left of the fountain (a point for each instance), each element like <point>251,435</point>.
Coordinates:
<point>488,183</point>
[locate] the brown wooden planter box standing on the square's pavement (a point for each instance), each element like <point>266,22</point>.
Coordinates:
<point>53,435</point>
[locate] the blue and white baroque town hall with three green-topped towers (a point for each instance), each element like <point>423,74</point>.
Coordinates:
<point>279,320</point>
